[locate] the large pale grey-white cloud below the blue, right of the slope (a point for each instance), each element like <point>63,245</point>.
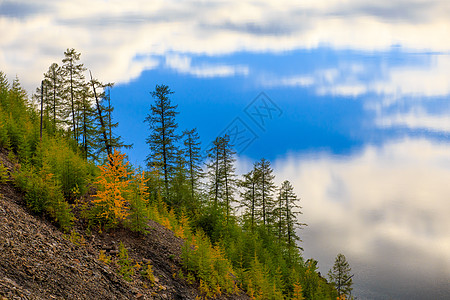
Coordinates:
<point>386,208</point>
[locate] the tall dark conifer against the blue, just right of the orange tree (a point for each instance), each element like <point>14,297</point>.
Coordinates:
<point>162,139</point>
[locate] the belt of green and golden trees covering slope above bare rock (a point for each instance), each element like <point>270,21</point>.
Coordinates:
<point>258,250</point>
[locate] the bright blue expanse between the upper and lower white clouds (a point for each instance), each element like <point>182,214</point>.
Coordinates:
<point>313,117</point>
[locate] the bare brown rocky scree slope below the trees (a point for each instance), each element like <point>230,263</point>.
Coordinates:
<point>37,261</point>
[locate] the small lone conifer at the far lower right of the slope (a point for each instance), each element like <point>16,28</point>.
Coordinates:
<point>340,276</point>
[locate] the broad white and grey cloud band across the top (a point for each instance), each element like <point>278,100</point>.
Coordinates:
<point>111,34</point>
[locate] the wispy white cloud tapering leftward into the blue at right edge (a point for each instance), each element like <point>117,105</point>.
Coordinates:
<point>397,94</point>
